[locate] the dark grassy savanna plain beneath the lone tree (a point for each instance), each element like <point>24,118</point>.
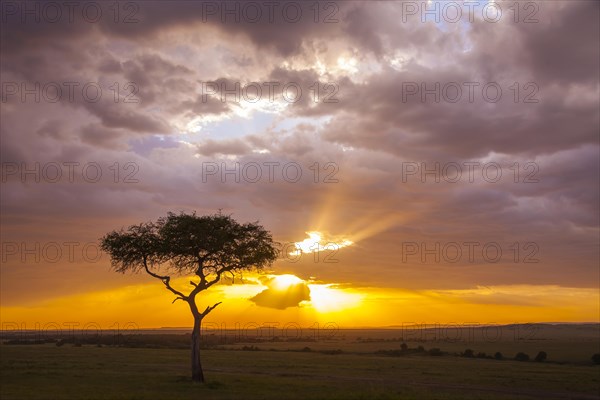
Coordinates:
<point>354,370</point>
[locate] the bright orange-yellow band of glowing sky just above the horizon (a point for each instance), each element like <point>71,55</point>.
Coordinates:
<point>149,305</point>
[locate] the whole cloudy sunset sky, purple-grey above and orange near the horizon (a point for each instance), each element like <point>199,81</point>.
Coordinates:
<point>389,169</point>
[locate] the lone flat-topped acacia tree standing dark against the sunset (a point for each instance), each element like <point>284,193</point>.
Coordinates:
<point>186,244</point>
